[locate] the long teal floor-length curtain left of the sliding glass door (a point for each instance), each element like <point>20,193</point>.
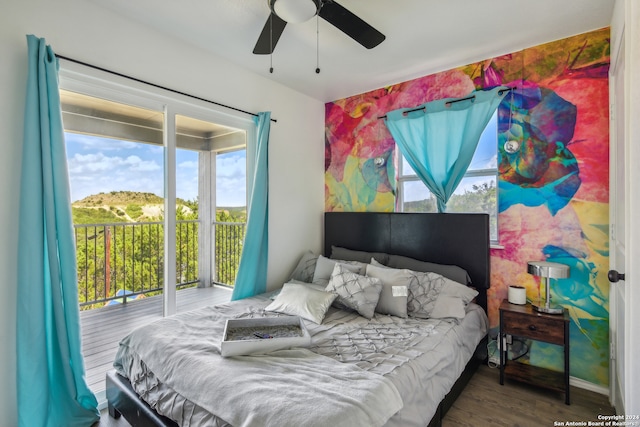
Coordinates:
<point>51,387</point>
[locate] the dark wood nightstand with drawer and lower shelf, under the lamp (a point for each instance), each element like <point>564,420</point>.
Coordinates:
<point>523,321</point>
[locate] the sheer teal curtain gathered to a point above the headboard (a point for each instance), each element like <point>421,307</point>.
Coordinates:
<point>439,138</point>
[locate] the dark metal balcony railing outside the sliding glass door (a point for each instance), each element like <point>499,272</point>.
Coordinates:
<point>124,261</point>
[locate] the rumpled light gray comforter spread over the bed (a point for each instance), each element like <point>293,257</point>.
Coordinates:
<point>356,372</point>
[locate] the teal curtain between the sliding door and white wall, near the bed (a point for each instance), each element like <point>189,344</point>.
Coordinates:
<point>252,271</point>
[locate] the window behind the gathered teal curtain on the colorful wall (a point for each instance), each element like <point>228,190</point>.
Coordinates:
<point>476,192</point>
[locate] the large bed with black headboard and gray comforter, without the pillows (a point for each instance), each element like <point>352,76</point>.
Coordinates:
<point>408,361</point>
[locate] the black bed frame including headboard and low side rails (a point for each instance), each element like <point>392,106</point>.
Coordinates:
<point>460,239</point>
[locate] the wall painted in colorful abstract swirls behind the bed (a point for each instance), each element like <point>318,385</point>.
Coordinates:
<point>553,193</point>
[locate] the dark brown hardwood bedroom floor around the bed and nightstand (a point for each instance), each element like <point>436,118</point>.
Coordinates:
<point>484,402</point>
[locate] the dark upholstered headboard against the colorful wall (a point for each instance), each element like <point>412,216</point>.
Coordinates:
<point>450,238</point>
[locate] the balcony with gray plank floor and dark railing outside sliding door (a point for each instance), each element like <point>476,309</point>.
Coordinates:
<point>120,281</point>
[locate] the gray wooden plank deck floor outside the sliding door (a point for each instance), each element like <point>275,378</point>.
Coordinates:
<point>103,328</point>
